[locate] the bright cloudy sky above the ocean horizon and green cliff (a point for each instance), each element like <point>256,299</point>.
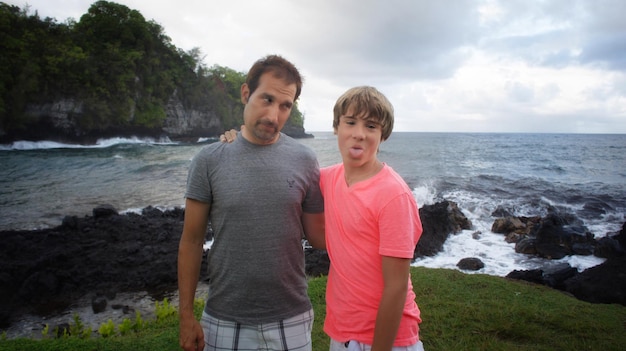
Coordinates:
<point>514,66</point>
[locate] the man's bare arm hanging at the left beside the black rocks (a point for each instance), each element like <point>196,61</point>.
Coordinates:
<point>191,337</point>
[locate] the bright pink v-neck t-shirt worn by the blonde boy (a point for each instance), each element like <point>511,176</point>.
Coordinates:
<point>372,218</point>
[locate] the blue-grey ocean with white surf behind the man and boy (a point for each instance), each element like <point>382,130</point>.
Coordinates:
<point>524,174</point>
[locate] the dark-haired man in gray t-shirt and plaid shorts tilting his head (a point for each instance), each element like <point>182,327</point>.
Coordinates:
<point>261,195</point>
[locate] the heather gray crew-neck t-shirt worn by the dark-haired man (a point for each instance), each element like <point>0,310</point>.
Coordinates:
<point>257,196</point>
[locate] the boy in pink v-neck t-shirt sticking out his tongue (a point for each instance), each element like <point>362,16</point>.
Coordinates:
<point>372,226</point>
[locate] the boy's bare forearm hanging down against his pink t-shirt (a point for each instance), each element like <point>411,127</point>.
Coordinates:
<point>395,280</point>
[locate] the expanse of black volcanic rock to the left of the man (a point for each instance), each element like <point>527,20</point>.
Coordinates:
<point>45,271</point>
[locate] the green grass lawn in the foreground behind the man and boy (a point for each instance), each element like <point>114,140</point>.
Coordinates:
<point>459,312</point>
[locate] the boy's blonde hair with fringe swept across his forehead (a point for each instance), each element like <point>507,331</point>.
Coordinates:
<point>367,103</point>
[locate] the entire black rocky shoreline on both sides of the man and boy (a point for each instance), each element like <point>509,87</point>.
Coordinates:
<point>111,264</point>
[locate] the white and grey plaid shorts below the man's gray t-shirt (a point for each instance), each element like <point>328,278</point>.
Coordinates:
<point>292,334</point>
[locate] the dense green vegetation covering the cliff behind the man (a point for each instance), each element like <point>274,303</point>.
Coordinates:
<point>115,70</point>
